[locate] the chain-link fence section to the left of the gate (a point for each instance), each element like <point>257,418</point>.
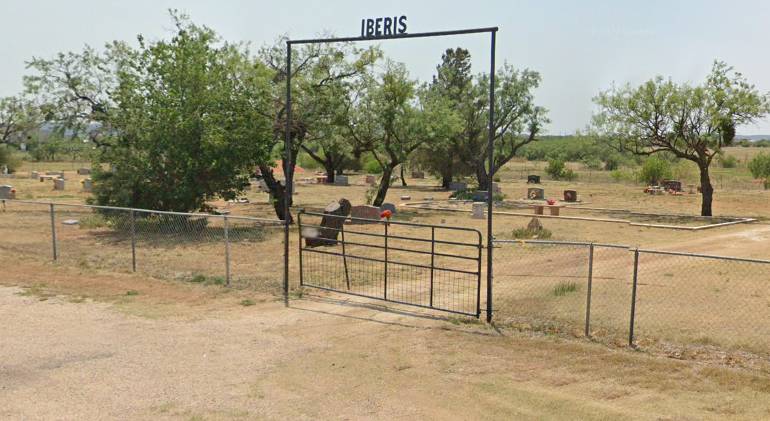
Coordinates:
<point>194,247</point>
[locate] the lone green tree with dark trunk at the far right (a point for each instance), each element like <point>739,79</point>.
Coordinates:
<point>690,122</point>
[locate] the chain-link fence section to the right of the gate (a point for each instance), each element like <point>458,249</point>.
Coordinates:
<point>644,297</point>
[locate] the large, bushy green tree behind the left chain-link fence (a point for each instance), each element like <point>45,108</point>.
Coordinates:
<point>182,120</point>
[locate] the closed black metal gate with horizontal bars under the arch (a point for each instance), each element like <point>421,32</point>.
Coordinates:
<point>430,266</point>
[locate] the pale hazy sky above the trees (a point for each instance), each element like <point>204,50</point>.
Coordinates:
<point>579,47</point>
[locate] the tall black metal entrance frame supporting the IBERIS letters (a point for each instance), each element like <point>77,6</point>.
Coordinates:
<point>289,170</point>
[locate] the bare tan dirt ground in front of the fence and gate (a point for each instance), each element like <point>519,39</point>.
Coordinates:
<point>76,346</point>
